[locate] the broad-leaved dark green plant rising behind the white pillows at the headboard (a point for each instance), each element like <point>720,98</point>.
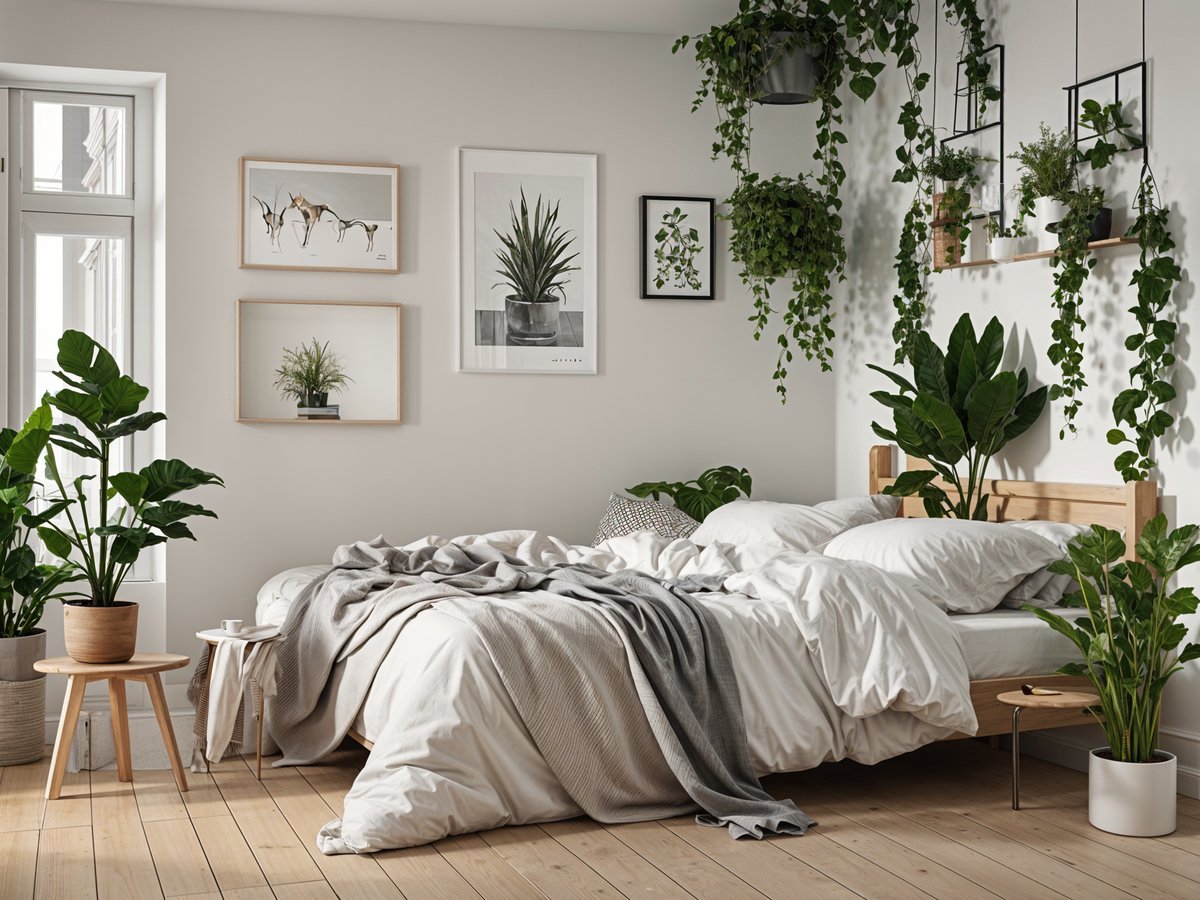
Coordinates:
<point>956,413</point>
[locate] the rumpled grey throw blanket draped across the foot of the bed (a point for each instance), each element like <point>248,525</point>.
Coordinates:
<point>676,652</point>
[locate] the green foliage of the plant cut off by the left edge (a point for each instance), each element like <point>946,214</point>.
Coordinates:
<point>26,585</point>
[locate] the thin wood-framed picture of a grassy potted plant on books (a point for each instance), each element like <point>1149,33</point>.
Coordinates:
<point>325,362</point>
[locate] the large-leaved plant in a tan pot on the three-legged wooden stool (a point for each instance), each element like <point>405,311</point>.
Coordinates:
<point>104,532</point>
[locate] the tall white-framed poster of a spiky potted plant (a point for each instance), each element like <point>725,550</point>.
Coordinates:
<point>527,262</point>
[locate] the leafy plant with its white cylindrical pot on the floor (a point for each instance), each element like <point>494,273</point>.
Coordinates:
<point>1130,643</point>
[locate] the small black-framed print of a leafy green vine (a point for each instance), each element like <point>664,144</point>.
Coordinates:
<point>677,248</point>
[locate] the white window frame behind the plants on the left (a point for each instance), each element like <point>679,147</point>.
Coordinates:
<point>136,207</point>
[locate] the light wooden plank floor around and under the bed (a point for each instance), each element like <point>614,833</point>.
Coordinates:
<point>934,824</point>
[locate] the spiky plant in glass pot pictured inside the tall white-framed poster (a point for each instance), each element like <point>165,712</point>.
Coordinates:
<point>535,265</point>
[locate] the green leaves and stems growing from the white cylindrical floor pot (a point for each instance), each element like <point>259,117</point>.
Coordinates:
<point>1131,637</point>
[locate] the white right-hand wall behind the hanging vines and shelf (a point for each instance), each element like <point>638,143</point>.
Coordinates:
<point>1039,40</point>
